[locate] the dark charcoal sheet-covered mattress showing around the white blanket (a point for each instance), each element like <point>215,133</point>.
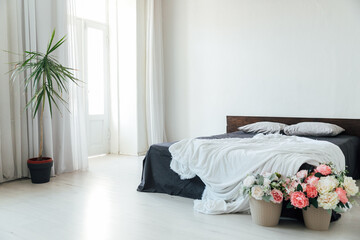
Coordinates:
<point>158,177</point>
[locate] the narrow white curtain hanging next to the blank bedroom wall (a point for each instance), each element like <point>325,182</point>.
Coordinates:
<point>155,119</point>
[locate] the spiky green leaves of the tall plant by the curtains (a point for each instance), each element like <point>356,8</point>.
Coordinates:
<point>48,77</point>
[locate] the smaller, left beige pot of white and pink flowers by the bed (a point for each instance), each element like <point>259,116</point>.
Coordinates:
<point>265,191</point>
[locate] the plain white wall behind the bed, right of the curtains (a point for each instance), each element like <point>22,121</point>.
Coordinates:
<point>297,58</point>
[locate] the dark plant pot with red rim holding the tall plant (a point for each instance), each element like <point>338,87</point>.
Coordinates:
<point>40,170</point>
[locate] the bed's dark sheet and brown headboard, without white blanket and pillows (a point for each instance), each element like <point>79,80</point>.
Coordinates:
<point>158,177</point>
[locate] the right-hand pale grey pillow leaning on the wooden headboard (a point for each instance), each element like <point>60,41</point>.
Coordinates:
<point>317,129</point>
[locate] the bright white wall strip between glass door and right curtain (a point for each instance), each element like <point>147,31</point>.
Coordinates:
<point>123,77</point>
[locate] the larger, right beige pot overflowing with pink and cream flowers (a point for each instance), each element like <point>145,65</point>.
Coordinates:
<point>318,193</point>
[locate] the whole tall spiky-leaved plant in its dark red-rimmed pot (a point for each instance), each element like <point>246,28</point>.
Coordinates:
<point>48,79</point>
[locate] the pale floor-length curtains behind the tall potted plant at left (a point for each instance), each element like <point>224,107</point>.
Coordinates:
<point>28,25</point>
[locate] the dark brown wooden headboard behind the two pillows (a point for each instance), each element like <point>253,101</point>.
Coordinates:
<point>351,126</point>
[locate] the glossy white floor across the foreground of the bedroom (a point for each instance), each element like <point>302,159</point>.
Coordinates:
<point>103,204</point>
